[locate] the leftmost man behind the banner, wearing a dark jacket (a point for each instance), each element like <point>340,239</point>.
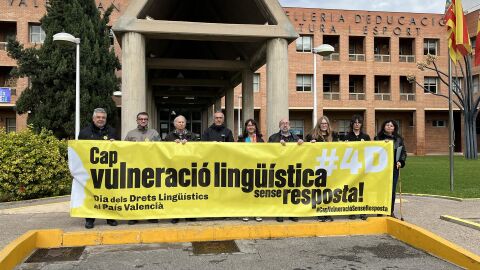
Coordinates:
<point>98,130</point>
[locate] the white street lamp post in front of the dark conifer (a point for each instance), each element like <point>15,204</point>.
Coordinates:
<point>67,38</point>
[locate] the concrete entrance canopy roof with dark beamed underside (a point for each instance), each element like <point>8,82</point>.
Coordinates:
<point>197,49</point>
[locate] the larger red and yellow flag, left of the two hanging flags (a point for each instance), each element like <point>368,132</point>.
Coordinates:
<point>458,38</point>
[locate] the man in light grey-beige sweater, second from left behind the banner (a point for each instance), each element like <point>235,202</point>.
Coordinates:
<point>142,134</point>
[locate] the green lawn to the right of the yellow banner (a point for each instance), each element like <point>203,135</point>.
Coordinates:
<point>430,175</point>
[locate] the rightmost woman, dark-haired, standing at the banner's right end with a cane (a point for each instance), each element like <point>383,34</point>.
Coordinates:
<point>389,132</point>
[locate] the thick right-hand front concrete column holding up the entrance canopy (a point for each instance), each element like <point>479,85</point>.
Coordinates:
<point>277,83</point>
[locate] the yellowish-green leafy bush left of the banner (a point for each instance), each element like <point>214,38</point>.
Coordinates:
<point>32,165</point>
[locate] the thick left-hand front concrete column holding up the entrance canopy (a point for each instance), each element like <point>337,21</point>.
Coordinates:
<point>133,79</point>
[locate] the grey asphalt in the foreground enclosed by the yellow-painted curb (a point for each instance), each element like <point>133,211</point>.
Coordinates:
<point>357,252</point>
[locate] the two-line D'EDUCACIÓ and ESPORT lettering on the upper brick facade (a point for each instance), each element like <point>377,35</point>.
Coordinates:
<point>363,24</point>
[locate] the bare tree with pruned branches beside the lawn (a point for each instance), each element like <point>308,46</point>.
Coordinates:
<point>466,100</point>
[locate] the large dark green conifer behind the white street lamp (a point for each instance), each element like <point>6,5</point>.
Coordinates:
<point>49,99</point>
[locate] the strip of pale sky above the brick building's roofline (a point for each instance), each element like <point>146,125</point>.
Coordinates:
<point>418,6</point>
